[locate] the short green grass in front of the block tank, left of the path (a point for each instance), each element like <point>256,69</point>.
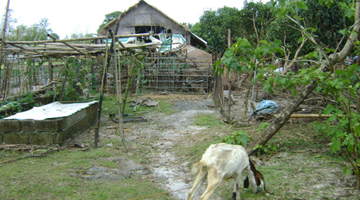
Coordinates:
<point>52,177</point>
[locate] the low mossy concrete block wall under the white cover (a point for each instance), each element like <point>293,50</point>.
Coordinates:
<point>49,131</point>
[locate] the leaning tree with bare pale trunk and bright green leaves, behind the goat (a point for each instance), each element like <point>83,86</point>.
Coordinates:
<point>341,85</point>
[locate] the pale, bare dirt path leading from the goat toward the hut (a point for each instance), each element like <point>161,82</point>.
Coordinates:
<point>168,131</point>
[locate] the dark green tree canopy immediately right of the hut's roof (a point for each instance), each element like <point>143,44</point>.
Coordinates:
<point>251,22</point>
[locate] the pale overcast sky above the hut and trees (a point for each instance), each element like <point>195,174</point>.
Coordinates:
<point>84,16</point>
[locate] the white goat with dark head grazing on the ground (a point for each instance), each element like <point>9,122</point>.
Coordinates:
<point>225,161</point>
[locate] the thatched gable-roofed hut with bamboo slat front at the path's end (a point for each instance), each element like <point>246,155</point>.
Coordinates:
<point>177,65</point>
